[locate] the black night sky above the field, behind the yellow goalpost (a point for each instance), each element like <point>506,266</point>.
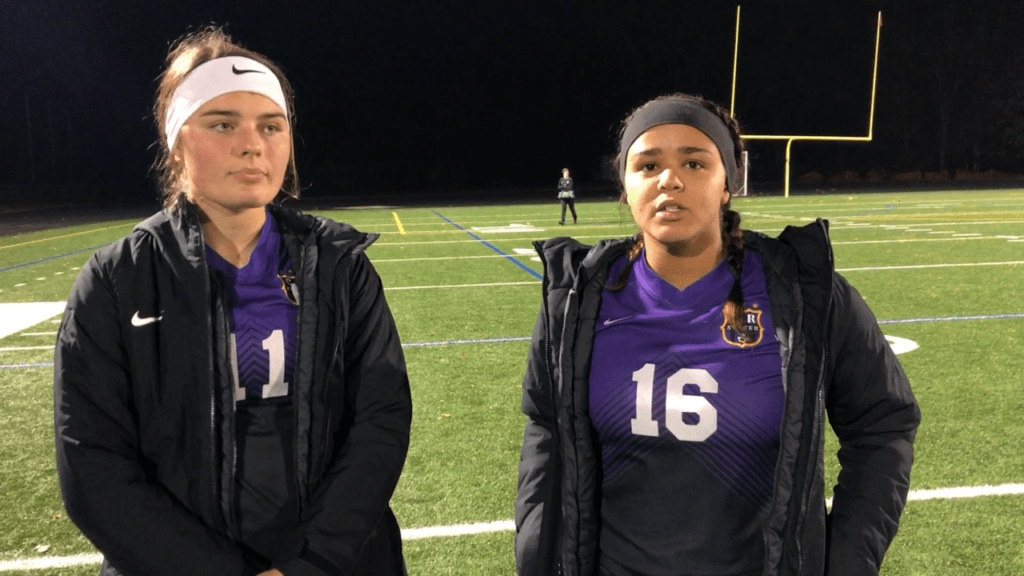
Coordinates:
<point>415,98</point>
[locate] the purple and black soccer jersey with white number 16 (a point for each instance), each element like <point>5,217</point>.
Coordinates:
<point>688,415</point>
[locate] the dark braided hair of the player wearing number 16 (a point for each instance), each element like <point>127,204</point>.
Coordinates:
<point>733,235</point>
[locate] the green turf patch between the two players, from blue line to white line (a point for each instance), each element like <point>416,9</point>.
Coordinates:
<point>467,431</point>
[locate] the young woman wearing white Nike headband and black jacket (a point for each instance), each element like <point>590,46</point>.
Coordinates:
<point>231,395</point>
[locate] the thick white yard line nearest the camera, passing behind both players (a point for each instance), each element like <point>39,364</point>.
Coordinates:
<point>509,525</point>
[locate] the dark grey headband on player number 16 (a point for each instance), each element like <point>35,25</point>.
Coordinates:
<point>680,111</point>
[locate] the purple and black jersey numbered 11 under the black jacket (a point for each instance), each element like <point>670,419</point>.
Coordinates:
<point>263,318</point>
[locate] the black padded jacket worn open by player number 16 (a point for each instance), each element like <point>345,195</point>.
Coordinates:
<point>835,359</point>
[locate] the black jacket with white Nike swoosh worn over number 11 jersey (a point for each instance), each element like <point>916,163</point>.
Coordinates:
<point>147,469</point>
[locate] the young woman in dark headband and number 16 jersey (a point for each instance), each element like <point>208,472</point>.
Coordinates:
<point>678,383</point>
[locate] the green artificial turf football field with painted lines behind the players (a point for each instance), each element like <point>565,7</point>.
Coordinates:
<point>943,270</point>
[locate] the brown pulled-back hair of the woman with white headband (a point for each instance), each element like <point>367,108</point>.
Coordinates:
<point>188,53</point>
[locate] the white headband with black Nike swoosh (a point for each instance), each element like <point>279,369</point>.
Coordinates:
<point>211,79</point>
